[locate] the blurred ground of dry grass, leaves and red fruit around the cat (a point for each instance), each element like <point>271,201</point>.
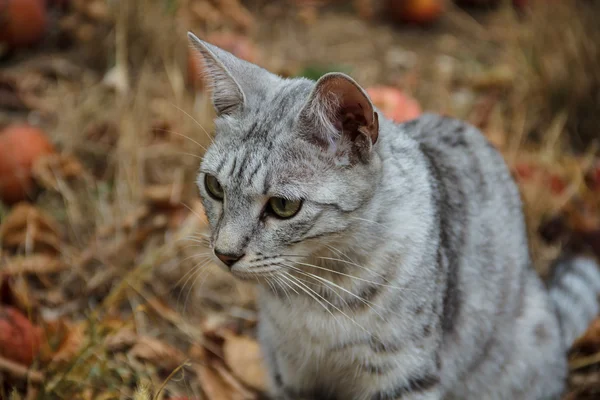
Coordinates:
<point>106,291</point>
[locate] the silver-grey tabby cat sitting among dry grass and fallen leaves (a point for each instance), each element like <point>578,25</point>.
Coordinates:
<point>392,259</point>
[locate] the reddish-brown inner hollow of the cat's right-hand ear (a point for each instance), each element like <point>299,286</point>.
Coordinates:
<point>349,107</point>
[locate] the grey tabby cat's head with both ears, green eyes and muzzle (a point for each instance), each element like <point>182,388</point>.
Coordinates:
<point>291,166</point>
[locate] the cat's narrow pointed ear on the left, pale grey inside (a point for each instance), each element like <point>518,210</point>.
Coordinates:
<point>220,69</point>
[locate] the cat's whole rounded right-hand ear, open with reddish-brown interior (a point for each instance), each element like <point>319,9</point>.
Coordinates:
<point>339,108</point>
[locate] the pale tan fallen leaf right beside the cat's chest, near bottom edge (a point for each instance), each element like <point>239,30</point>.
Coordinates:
<point>244,358</point>
